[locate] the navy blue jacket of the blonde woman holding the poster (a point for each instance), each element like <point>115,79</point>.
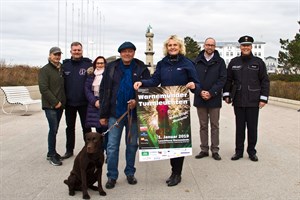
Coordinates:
<point>172,73</point>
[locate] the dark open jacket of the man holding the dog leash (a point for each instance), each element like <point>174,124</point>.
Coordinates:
<point>110,85</point>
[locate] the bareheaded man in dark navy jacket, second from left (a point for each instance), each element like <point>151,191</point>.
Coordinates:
<point>75,73</point>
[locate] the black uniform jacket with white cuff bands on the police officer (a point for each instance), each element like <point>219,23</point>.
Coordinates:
<point>247,81</point>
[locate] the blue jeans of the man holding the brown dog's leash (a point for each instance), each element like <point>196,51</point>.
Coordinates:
<point>113,147</point>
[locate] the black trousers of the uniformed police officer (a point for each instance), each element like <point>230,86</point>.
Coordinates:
<point>246,117</point>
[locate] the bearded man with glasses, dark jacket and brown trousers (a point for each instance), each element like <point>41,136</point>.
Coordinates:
<point>211,70</point>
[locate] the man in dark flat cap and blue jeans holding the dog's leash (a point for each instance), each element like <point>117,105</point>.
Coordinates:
<point>116,96</point>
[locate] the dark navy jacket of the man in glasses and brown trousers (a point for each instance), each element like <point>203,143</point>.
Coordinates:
<point>212,75</point>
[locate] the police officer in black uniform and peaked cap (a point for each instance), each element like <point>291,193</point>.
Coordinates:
<point>247,87</point>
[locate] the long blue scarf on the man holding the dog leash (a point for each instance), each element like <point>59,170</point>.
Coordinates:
<point>125,91</point>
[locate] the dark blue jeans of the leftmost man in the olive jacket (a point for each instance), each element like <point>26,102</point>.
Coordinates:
<point>53,117</point>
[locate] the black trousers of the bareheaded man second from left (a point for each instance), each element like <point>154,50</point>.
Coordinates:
<point>71,114</point>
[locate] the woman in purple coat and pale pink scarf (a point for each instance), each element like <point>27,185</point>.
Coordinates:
<point>92,87</point>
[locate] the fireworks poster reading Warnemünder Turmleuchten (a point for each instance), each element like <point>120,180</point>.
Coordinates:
<point>164,126</point>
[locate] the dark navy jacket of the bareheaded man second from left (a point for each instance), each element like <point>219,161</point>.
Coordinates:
<point>75,76</point>
